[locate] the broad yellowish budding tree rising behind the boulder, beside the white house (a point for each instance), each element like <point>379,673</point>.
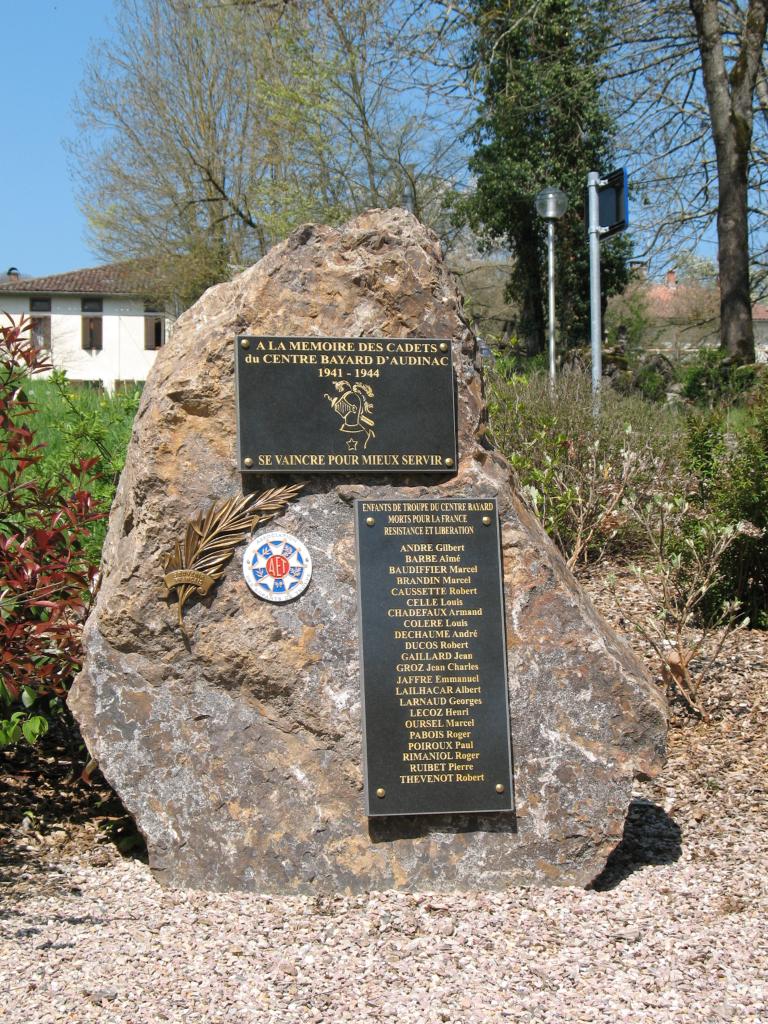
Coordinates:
<point>182,155</point>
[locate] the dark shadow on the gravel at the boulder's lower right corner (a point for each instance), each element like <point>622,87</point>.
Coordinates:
<point>651,837</point>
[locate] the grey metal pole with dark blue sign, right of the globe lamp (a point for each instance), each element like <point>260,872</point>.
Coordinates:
<point>608,210</point>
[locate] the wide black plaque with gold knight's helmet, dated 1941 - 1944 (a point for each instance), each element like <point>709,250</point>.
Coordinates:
<point>346,405</point>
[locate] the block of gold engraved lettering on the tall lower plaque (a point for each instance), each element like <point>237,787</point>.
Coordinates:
<point>437,598</point>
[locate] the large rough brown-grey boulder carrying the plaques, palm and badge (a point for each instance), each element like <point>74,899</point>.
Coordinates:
<point>239,750</point>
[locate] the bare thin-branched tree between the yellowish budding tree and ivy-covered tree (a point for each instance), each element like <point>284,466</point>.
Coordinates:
<point>393,144</point>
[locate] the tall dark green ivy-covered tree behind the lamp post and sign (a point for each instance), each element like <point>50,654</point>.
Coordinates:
<point>541,122</point>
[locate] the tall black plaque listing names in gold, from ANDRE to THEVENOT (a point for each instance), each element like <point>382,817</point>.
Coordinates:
<point>434,657</point>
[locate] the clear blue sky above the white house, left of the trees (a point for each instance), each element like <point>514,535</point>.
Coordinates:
<point>46,44</point>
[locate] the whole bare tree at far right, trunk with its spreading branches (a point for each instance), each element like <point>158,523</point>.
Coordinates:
<point>686,86</point>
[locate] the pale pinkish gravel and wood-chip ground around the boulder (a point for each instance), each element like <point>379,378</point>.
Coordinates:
<point>673,931</point>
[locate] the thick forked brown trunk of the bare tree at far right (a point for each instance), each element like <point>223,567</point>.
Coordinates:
<point>730,101</point>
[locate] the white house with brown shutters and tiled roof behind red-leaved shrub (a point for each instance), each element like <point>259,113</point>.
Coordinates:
<point>96,322</point>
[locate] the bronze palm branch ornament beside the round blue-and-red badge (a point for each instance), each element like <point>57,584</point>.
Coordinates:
<point>211,539</point>
